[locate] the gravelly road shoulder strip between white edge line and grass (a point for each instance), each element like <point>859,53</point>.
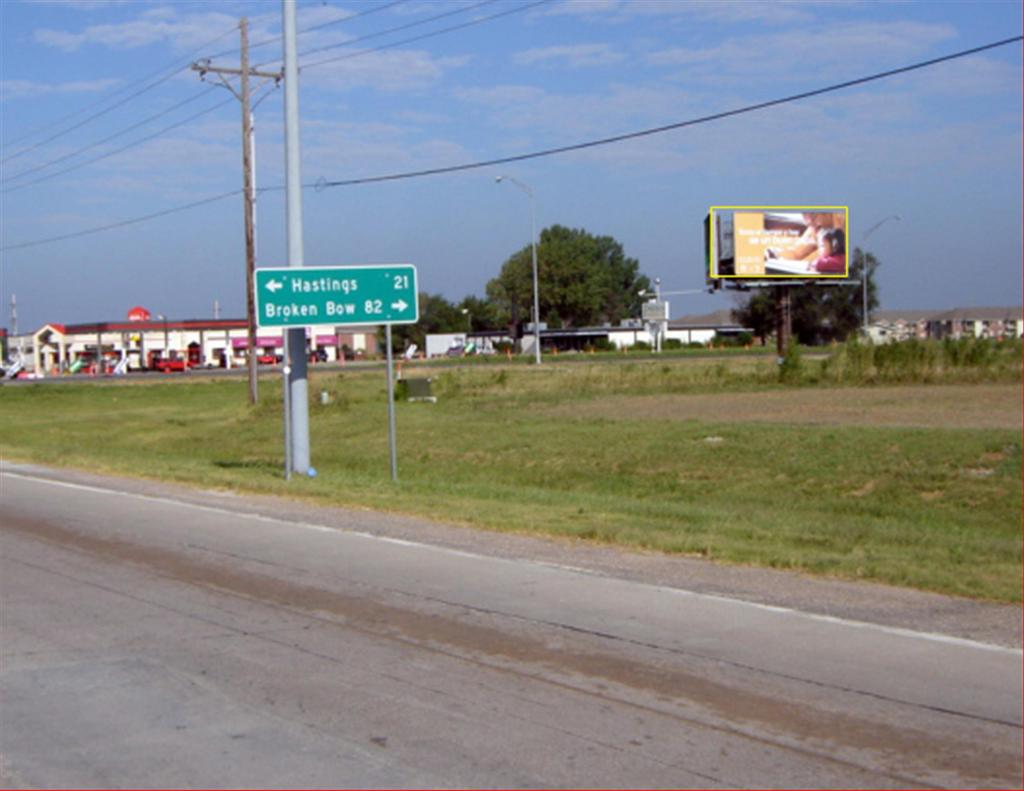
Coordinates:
<point>870,603</point>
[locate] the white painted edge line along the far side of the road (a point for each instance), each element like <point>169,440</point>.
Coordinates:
<point>894,631</point>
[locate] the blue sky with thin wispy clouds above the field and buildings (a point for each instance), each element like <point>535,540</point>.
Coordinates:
<point>941,147</point>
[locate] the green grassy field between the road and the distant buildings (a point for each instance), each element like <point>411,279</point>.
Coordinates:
<point>915,485</point>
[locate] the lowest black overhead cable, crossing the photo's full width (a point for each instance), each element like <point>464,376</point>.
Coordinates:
<point>549,152</point>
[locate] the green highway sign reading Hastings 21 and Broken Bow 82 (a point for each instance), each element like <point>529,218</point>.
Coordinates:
<point>304,297</point>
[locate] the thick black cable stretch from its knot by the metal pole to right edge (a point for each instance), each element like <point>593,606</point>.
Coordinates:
<point>668,128</point>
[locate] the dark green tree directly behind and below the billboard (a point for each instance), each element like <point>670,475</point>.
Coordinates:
<point>821,314</point>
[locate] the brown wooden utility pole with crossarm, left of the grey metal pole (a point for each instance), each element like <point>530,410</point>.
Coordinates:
<point>243,95</point>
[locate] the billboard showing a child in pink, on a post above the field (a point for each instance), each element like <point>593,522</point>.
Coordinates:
<point>777,242</point>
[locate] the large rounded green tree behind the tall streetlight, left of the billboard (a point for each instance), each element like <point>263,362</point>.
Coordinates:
<point>583,280</point>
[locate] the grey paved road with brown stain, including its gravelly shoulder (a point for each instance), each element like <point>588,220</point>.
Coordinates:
<point>153,637</point>
